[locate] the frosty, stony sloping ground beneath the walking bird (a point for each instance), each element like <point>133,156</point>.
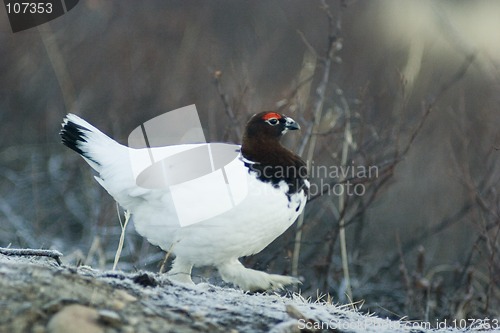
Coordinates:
<point>39,295</point>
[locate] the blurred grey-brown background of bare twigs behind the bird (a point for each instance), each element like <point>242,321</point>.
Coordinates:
<point>411,88</point>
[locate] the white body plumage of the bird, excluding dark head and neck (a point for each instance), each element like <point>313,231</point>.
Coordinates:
<point>264,214</point>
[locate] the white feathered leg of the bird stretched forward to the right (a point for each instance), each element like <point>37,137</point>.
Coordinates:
<point>248,279</point>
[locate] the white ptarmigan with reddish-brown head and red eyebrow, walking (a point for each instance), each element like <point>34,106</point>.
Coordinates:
<point>277,187</point>
